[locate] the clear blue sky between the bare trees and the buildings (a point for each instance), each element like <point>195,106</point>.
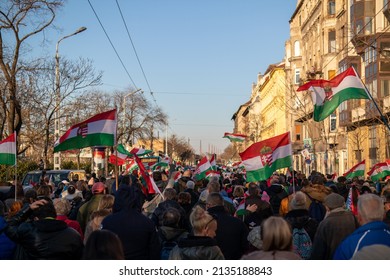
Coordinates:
<point>200,57</point>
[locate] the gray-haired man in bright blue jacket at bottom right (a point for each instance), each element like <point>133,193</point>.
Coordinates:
<point>372,230</point>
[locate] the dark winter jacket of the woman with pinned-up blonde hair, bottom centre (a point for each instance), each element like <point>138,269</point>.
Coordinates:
<point>196,248</point>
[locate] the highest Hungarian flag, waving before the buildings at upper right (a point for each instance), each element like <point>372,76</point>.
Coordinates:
<point>328,95</point>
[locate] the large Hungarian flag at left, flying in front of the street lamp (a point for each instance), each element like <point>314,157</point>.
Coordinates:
<point>99,130</point>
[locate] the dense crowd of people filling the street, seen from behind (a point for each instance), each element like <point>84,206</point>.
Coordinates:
<point>296,217</point>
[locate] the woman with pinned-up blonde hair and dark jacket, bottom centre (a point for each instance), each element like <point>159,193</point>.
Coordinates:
<point>200,245</point>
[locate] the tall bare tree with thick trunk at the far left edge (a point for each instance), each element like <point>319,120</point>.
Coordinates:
<point>19,21</point>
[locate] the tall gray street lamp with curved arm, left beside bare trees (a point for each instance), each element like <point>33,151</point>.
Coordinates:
<point>57,156</point>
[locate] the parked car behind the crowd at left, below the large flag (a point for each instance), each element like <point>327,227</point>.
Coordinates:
<point>56,176</point>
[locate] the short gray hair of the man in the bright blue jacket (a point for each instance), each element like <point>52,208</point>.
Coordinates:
<point>370,208</point>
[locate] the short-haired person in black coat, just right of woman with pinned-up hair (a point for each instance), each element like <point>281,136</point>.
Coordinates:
<point>231,234</point>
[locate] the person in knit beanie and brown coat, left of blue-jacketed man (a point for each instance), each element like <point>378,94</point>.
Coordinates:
<point>337,224</point>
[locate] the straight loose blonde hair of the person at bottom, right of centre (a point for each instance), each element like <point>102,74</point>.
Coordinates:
<point>276,234</point>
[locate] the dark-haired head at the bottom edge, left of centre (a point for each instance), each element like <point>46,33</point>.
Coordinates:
<point>103,245</point>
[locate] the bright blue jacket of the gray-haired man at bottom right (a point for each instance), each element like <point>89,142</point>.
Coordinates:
<point>366,235</point>
